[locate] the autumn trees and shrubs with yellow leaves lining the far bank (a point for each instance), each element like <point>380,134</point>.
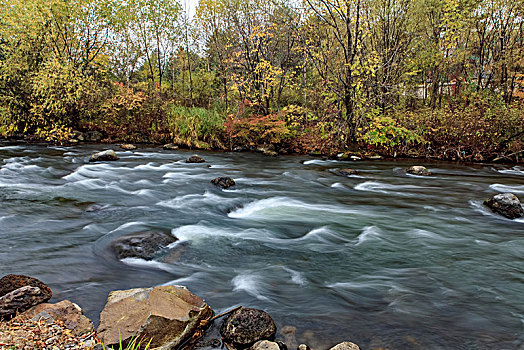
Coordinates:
<point>434,78</point>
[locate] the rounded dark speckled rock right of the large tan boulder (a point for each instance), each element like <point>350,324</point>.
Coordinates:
<point>246,326</point>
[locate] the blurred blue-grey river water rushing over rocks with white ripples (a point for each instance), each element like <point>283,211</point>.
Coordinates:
<point>383,259</point>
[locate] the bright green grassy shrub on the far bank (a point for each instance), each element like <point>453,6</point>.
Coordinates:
<point>195,126</point>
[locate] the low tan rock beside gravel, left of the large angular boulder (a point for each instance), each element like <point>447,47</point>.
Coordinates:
<point>65,311</point>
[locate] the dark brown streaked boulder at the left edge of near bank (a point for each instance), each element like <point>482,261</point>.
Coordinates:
<point>19,293</point>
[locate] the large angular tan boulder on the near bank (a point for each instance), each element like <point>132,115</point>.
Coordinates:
<point>167,315</point>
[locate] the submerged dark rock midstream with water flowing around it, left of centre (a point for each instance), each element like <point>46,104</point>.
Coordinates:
<point>144,245</point>
